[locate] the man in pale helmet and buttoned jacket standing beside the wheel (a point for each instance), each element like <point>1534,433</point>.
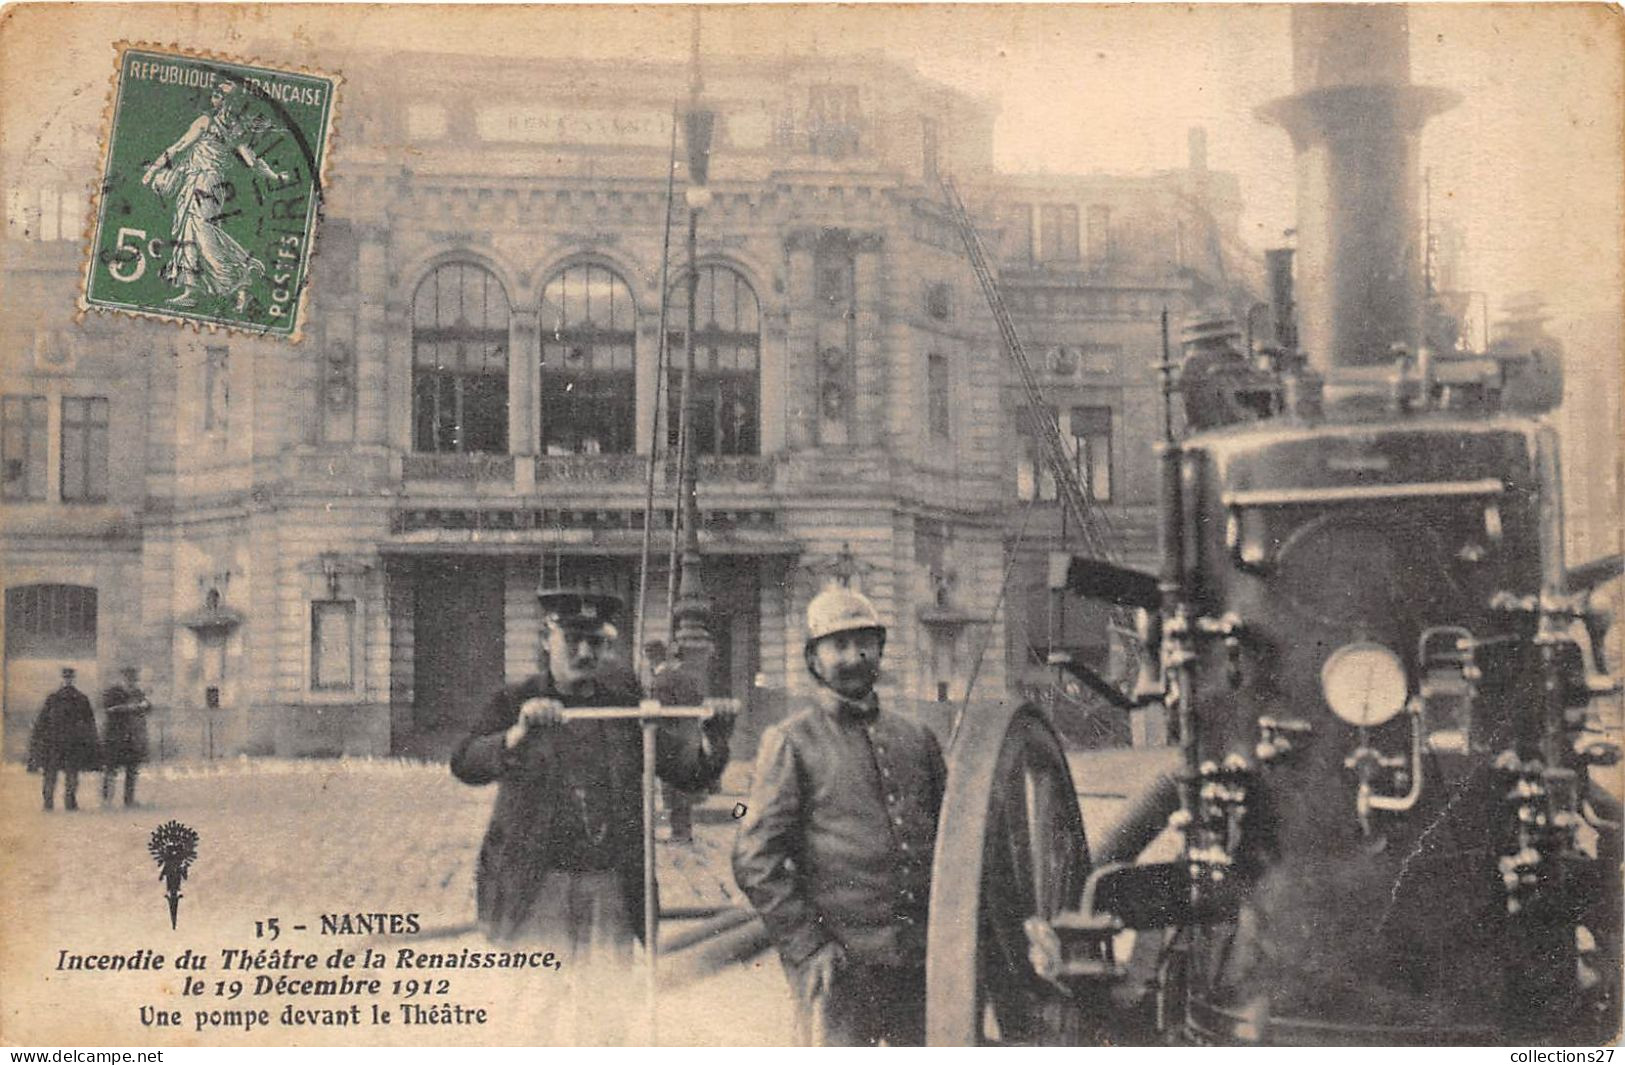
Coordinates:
<point>838,840</point>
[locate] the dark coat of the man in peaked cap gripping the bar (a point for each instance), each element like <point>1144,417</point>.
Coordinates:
<point>570,798</point>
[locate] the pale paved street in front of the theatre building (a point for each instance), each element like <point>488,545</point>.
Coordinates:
<point>298,840</point>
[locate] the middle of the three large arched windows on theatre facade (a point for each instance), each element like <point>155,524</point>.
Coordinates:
<point>589,386</point>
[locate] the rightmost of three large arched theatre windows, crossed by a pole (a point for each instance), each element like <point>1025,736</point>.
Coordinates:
<point>727,365</point>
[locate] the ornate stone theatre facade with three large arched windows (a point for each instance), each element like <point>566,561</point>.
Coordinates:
<point>334,547</point>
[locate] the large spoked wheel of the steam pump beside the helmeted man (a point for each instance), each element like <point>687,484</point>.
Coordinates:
<point>1012,846</point>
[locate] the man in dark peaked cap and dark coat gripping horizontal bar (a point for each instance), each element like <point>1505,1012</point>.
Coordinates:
<point>563,859</point>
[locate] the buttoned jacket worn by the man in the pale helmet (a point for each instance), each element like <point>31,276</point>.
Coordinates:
<point>839,835</point>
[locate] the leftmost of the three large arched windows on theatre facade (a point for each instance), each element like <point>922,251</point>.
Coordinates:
<point>459,352</point>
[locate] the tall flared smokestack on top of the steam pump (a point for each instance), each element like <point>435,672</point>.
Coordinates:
<point>1354,123</point>
